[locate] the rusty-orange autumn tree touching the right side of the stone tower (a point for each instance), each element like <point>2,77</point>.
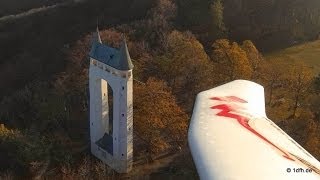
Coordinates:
<point>159,121</point>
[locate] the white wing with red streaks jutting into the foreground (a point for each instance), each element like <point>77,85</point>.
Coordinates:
<point>230,137</point>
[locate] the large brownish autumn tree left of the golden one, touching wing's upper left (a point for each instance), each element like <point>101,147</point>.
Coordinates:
<point>186,67</point>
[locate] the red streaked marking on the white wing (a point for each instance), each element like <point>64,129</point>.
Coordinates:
<point>243,121</point>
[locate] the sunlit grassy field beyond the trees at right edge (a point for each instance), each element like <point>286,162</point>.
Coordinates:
<point>308,52</point>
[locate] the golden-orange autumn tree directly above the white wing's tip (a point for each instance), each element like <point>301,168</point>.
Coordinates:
<point>232,60</point>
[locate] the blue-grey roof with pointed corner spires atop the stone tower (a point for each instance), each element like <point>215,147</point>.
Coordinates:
<point>118,59</point>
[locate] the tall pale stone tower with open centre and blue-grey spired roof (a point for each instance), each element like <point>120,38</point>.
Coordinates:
<point>111,125</point>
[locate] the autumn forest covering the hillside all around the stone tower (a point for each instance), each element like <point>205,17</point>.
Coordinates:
<point>179,48</point>
